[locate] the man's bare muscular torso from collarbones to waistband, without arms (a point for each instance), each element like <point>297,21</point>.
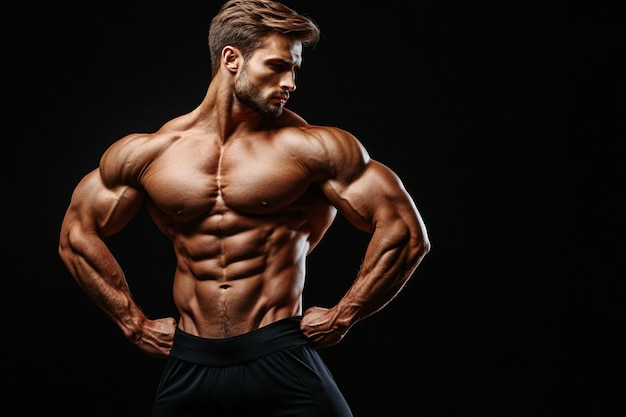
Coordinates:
<point>242,216</point>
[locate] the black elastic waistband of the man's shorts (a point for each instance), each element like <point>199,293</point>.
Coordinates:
<point>275,336</point>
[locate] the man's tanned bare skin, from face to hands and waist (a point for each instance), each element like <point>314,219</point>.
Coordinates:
<point>245,189</point>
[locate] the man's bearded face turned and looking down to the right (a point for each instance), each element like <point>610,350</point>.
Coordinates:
<point>268,76</point>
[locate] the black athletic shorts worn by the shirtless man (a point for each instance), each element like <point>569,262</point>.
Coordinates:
<point>268,372</point>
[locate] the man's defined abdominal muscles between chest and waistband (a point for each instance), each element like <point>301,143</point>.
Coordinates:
<point>237,273</point>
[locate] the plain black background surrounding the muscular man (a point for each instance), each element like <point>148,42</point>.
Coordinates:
<point>505,120</point>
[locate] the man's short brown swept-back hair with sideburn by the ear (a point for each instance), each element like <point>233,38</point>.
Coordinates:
<point>244,24</point>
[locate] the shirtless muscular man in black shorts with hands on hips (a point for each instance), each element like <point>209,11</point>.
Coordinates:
<point>245,189</point>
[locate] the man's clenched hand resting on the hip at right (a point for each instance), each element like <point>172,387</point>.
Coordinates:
<point>319,325</point>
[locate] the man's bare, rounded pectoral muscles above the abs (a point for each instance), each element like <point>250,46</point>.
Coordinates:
<point>201,179</point>
